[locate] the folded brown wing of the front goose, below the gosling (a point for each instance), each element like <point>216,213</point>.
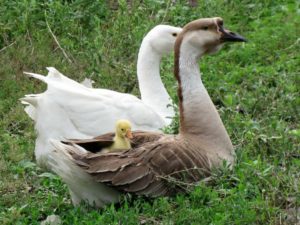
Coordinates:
<point>158,165</point>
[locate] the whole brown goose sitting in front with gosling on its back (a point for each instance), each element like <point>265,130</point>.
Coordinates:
<point>201,144</point>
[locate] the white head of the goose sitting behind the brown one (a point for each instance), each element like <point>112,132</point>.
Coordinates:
<point>162,38</point>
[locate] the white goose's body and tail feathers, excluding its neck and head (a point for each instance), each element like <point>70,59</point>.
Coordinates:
<point>68,109</point>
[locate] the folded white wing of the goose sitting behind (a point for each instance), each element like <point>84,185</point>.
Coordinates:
<point>91,111</point>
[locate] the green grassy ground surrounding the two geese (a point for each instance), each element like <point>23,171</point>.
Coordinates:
<point>254,85</point>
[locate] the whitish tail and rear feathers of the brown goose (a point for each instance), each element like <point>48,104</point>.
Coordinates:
<point>81,184</point>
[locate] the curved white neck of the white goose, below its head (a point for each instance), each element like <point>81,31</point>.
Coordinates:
<point>153,92</point>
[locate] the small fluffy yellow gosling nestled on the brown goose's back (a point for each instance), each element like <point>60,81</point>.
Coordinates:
<point>122,137</point>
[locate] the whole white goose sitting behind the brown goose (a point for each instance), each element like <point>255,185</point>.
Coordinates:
<point>68,109</point>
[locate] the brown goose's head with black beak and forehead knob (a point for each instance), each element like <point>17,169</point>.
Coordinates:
<point>206,36</point>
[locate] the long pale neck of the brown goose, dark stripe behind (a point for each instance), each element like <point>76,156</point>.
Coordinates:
<point>198,115</point>
